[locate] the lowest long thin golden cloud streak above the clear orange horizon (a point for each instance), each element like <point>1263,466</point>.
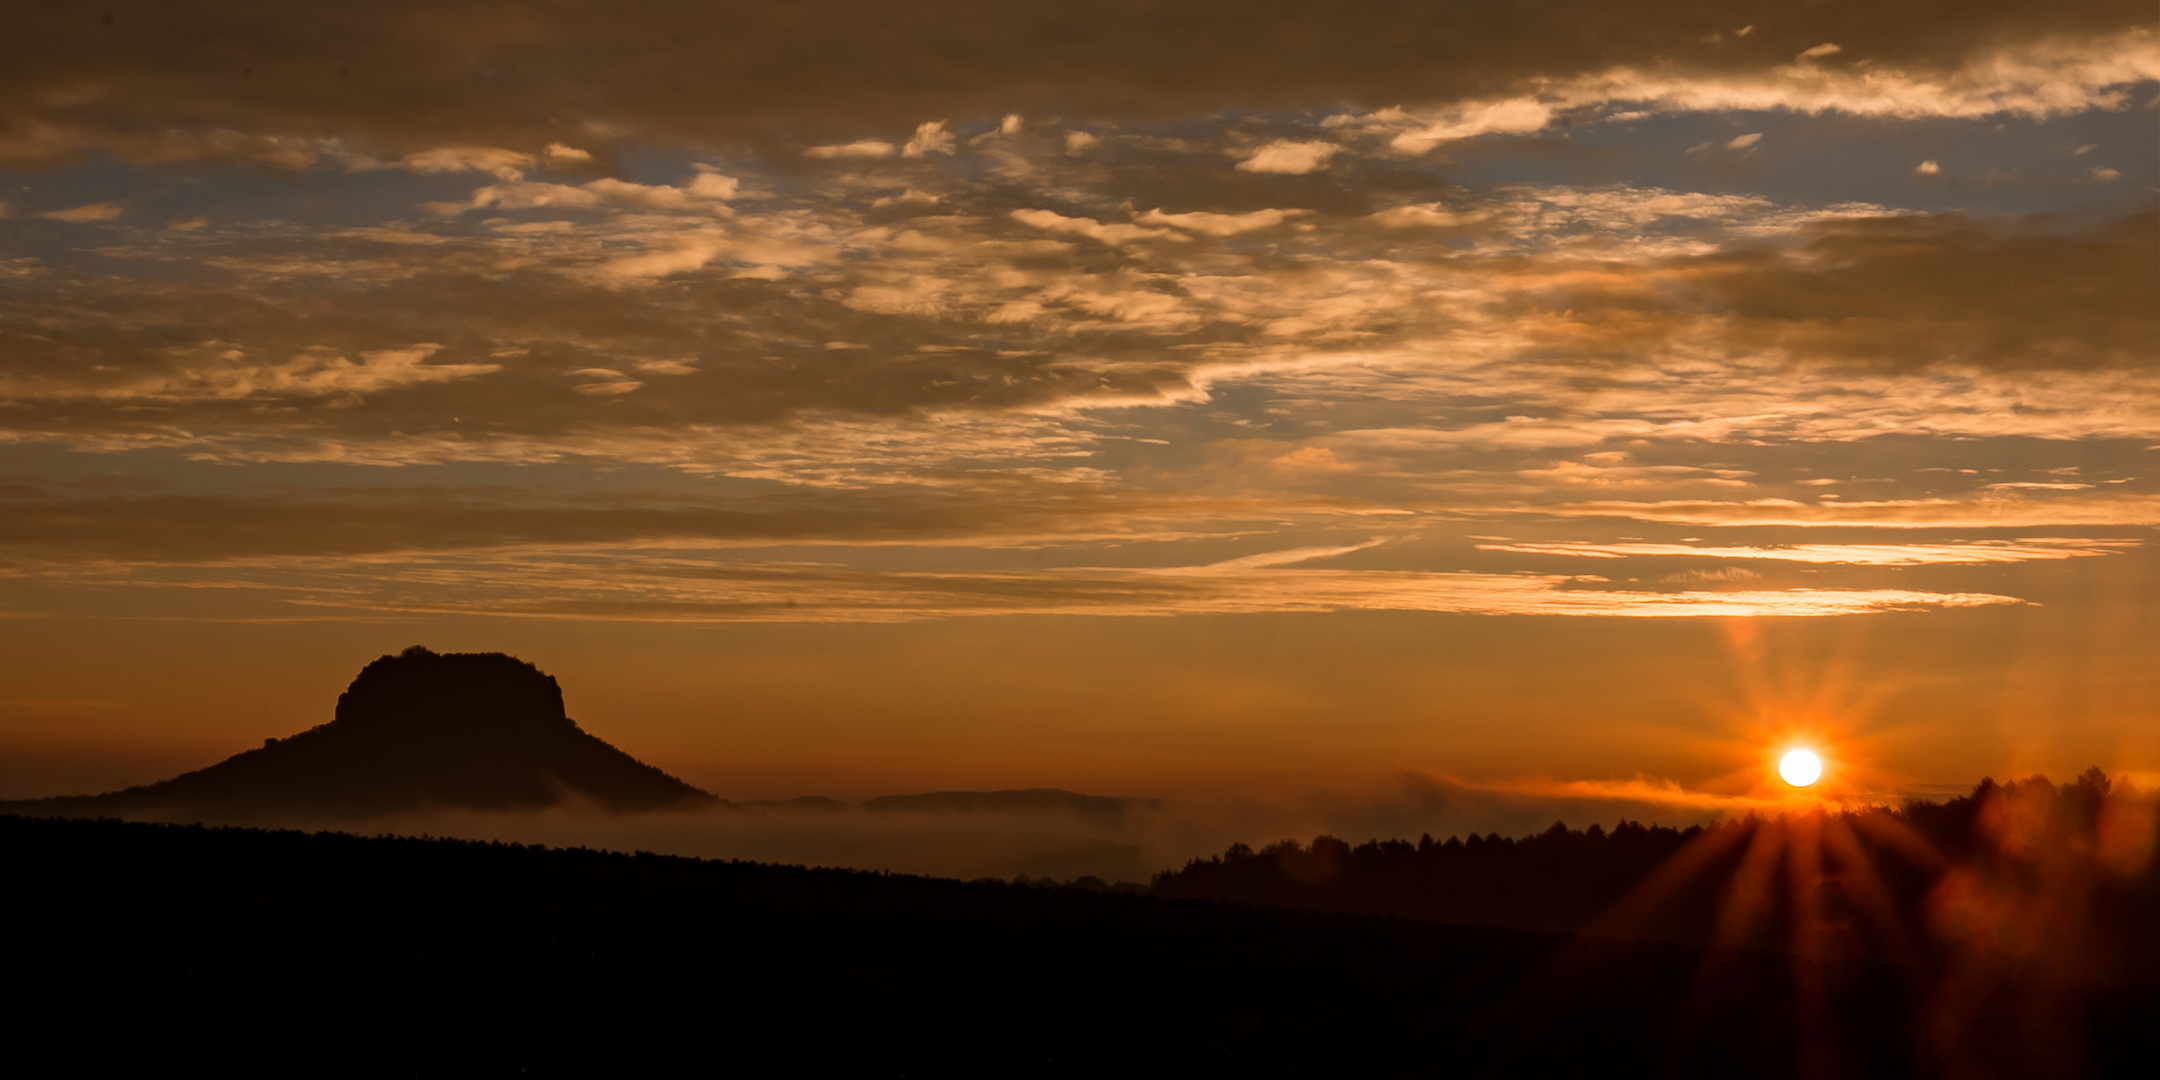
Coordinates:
<point>653,582</point>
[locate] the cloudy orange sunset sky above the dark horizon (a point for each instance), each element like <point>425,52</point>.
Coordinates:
<point>1265,403</point>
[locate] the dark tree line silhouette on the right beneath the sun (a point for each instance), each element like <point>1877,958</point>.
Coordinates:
<point>1567,880</point>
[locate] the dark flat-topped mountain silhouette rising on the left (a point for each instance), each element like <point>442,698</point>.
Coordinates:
<point>416,731</point>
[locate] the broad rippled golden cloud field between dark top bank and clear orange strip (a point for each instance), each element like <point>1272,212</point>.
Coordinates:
<point>1252,355</point>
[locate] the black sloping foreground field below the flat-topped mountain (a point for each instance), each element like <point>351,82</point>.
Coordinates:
<point>301,956</point>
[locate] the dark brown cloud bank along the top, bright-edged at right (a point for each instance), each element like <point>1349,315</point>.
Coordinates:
<point>157,87</point>
